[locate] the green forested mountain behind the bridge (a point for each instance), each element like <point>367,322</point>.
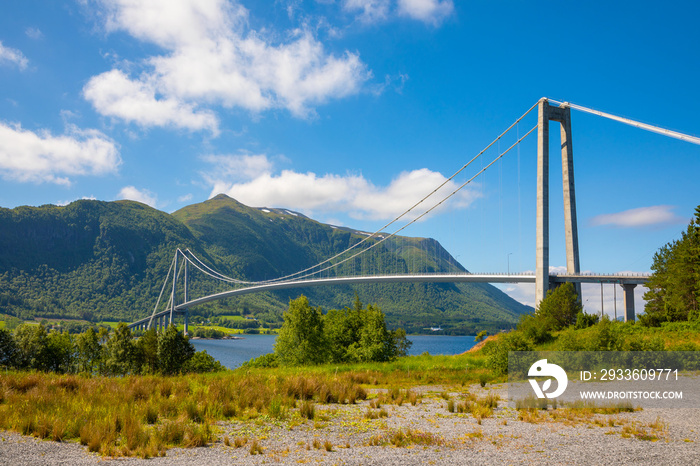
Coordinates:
<point>107,260</point>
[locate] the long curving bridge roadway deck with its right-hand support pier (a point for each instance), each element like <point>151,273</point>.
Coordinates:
<point>628,282</point>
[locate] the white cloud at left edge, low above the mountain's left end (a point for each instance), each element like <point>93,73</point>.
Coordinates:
<point>42,157</point>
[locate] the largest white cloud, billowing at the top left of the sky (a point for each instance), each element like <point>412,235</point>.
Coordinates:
<point>212,58</point>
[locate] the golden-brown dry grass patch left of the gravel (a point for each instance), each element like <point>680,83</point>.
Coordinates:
<point>145,415</point>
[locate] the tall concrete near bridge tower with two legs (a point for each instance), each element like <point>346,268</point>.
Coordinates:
<point>562,115</point>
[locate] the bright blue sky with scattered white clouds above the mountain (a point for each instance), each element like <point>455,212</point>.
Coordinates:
<point>348,110</point>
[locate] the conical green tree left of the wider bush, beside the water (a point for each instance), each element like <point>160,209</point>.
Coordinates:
<point>301,339</point>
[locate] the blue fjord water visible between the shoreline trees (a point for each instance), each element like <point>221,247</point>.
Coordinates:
<point>233,353</point>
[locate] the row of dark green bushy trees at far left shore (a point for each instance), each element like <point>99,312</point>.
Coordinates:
<point>101,352</point>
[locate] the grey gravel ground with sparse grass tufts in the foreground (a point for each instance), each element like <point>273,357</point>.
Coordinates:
<point>456,439</point>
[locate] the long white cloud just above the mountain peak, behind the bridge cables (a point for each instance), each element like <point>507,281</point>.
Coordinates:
<point>251,180</point>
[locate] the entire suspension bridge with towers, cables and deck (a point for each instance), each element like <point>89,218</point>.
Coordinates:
<point>346,267</point>
